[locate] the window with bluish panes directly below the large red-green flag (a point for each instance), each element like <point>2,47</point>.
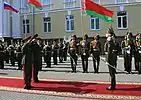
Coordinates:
<point>94,23</point>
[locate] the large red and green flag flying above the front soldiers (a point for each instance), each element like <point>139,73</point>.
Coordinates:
<point>96,10</point>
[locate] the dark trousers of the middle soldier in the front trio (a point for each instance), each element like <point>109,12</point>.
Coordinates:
<point>84,63</point>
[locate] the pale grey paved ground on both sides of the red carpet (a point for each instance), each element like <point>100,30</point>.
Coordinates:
<point>63,72</point>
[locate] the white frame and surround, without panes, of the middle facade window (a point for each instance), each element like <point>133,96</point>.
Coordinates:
<point>69,23</point>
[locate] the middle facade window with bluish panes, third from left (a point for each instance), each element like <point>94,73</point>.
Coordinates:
<point>69,23</point>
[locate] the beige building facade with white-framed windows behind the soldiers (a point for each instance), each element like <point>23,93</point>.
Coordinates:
<point>61,18</point>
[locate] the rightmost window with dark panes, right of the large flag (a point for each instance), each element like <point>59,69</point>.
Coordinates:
<point>122,22</point>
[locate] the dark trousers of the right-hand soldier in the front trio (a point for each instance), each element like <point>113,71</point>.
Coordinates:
<point>96,61</point>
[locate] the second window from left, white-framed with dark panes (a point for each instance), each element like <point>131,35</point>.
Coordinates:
<point>47,24</point>
